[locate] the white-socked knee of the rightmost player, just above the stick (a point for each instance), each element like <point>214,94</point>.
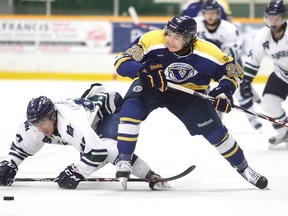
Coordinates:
<point>271,105</point>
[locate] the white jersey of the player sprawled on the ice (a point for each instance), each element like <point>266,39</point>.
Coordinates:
<point>76,121</point>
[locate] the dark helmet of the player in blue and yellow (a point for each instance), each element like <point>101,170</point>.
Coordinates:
<point>183,25</point>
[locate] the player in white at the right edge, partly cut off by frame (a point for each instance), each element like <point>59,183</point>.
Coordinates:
<point>272,41</point>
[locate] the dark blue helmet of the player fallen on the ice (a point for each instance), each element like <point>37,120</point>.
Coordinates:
<point>39,108</point>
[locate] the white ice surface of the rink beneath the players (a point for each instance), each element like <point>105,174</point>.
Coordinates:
<point>213,188</point>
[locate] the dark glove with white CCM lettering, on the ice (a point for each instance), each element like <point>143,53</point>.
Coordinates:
<point>69,178</point>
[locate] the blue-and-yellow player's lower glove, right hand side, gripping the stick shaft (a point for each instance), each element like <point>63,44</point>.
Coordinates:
<point>224,99</point>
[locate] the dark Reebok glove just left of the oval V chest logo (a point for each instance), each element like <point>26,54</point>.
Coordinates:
<point>153,73</point>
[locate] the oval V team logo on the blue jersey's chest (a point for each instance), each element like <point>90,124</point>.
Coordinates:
<point>179,71</point>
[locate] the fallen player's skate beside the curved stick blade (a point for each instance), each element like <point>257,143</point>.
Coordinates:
<point>153,179</point>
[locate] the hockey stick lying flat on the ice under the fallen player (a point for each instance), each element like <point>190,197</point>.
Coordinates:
<point>180,175</point>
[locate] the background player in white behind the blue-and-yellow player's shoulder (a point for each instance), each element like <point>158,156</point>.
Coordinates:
<point>224,35</point>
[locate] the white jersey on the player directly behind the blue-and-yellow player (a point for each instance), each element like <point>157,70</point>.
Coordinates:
<point>226,37</point>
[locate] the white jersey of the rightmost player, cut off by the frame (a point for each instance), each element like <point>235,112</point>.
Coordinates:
<point>264,45</point>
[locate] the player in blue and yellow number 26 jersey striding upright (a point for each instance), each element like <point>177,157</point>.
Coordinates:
<point>176,55</point>
